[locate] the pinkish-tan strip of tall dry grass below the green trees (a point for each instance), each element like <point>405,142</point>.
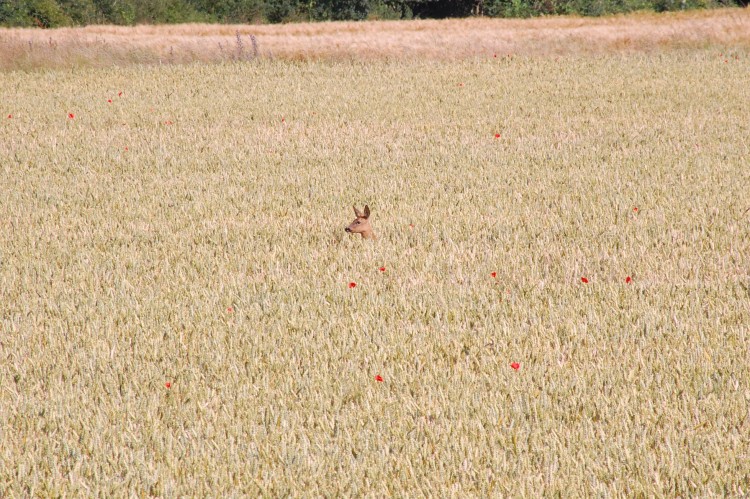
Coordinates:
<point>437,40</point>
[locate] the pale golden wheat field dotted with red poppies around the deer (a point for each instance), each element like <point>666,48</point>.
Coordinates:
<point>557,302</point>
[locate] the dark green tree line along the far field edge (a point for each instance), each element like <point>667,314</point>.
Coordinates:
<point>56,13</point>
